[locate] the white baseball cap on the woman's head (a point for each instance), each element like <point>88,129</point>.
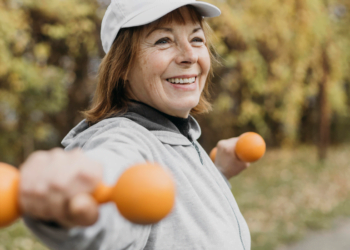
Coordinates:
<point>130,13</point>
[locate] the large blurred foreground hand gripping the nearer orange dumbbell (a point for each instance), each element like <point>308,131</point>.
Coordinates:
<point>55,185</point>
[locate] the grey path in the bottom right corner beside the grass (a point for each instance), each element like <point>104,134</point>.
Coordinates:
<point>336,238</point>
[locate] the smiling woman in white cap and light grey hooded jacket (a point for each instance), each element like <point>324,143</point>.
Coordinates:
<point>155,74</point>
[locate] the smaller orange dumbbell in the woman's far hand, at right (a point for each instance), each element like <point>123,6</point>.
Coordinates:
<point>250,147</point>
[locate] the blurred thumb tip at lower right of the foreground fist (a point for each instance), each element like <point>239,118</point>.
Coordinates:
<point>83,210</point>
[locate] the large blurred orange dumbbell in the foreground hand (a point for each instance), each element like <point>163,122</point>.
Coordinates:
<point>144,194</point>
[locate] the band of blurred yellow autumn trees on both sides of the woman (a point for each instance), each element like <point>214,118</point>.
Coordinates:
<point>285,69</point>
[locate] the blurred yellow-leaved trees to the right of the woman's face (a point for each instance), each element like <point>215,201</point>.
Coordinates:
<point>283,69</point>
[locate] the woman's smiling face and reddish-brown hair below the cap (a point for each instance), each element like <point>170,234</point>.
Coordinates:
<point>157,46</point>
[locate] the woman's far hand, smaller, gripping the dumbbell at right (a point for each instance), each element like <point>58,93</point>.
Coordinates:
<point>226,160</point>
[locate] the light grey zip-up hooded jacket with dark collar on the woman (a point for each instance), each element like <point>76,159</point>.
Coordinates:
<point>205,216</point>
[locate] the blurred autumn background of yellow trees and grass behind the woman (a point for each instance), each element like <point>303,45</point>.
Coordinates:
<point>284,72</point>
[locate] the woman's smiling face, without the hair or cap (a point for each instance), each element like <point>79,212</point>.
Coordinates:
<point>171,69</point>
